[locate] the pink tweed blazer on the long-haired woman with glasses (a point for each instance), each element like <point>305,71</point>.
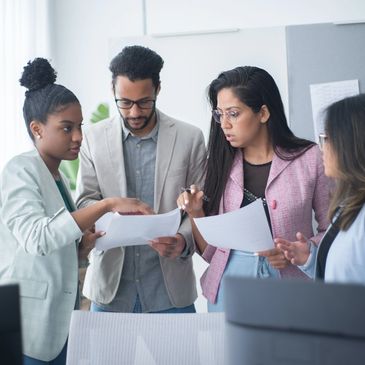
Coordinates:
<point>294,189</point>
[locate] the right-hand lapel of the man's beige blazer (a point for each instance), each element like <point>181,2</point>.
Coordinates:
<point>165,146</point>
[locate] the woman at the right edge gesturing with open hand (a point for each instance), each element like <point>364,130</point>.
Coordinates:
<point>340,256</point>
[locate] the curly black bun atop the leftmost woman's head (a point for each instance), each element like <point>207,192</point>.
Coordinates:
<point>37,74</point>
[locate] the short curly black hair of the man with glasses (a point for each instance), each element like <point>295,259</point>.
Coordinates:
<point>137,63</point>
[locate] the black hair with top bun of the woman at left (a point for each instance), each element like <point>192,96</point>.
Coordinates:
<point>43,97</point>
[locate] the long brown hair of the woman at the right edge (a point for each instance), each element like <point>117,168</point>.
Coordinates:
<point>345,129</point>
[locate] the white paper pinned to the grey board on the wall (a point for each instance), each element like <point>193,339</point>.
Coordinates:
<point>323,95</point>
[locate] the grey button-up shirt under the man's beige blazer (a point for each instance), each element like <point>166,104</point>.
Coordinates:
<point>141,274</point>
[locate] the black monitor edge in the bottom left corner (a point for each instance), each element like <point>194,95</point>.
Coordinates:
<point>10,327</point>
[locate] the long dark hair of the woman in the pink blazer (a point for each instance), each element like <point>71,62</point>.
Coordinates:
<point>254,87</point>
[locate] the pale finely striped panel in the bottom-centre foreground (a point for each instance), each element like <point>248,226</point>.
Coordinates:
<point>148,339</point>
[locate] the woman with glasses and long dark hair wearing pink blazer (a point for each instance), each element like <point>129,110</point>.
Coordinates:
<point>253,154</point>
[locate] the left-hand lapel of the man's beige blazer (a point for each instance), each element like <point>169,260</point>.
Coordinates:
<point>113,144</point>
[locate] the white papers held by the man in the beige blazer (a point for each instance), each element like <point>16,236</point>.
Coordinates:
<point>133,230</point>
